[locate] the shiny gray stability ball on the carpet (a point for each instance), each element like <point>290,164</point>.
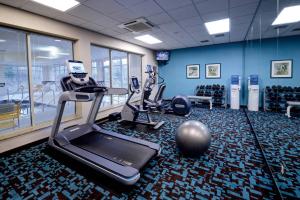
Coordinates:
<point>193,138</point>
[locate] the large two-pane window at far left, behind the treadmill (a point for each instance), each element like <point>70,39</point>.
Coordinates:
<point>29,90</point>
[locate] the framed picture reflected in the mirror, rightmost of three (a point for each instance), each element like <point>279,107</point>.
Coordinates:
<point>281,68</point>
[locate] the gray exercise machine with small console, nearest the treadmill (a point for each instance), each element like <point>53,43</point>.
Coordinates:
<point>131,112</point>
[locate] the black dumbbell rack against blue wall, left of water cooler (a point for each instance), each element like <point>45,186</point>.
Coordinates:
<point>216,92</point>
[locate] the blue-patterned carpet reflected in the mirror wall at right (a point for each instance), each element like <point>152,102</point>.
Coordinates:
<point>280,139</point>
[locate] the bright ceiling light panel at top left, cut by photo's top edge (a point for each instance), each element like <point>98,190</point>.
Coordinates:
<point>62,5</point>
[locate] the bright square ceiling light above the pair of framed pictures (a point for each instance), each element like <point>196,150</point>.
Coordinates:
<point>219,26</point>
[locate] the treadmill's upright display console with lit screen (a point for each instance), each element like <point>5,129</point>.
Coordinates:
<point>77,72</point>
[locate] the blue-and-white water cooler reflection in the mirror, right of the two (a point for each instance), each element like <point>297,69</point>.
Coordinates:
<point>253,93</point>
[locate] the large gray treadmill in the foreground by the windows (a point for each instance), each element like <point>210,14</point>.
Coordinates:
<point>116,155</point>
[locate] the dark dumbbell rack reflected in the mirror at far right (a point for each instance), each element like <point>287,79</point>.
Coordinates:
<point>276,97</point>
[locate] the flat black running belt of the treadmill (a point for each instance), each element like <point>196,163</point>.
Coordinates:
<point>115,149</point>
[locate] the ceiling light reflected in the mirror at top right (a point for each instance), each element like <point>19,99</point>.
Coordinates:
<point>288,15</point>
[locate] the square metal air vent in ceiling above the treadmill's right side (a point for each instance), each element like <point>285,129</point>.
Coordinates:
<point>137,26</point>
